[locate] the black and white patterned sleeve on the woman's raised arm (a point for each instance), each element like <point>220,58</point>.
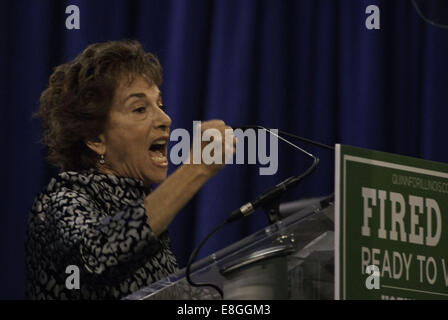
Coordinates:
<point>102,242</point>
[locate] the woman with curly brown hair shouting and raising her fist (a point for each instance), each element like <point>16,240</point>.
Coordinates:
<point>105,125</point>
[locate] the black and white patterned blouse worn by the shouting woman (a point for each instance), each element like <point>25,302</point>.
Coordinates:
<point>98,223</point>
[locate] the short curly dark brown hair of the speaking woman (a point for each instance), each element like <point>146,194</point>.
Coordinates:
<point>75,106</point>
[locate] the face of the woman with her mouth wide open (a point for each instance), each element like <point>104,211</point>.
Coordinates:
<point>137,133</point>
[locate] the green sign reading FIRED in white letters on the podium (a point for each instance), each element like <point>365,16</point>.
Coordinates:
<point>391,226</point>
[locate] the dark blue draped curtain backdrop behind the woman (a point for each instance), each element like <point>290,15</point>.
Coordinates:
<point>305,66</point>
